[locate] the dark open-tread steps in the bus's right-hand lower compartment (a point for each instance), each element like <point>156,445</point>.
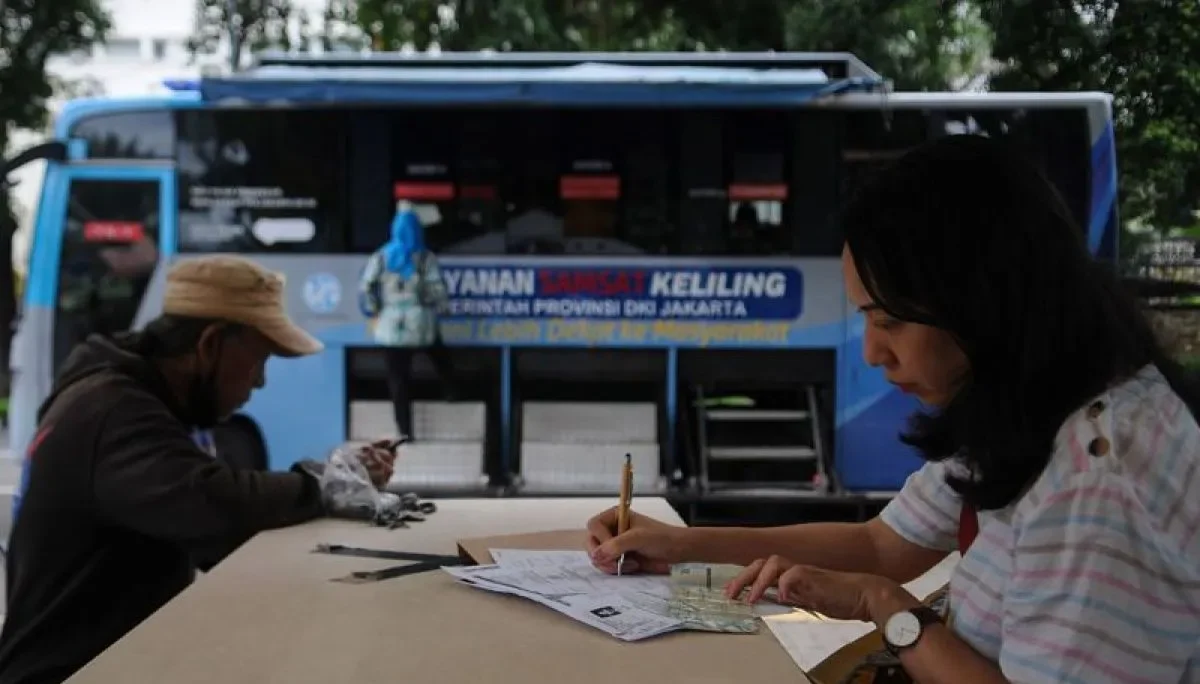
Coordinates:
<point>753,446</point>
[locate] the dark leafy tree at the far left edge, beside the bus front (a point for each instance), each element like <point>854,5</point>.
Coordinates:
<point>31,33</point>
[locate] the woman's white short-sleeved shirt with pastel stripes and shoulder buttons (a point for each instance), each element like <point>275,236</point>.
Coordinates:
<point>1094,575</point>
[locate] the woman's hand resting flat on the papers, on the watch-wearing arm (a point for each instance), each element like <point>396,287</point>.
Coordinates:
<point>838,596</point>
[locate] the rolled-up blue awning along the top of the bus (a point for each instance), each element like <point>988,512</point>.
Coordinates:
<point>581,85</point>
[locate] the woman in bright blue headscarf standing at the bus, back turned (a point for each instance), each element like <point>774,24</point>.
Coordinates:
<point>404,296</point>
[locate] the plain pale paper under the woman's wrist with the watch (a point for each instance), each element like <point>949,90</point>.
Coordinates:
<point>811,639</point>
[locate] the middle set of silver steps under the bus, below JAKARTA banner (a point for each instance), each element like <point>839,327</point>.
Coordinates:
<point>580,448</point>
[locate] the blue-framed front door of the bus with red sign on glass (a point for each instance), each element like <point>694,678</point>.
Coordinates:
<point>101,232</point>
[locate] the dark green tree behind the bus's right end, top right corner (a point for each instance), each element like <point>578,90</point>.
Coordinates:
<point>1148,56</point>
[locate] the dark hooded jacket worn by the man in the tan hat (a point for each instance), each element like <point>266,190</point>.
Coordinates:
<point>121,512</point>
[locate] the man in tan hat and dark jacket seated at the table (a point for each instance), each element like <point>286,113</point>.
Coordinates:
<point>122,506</point>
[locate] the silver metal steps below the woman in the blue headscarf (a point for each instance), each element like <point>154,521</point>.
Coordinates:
<point>448,452</point>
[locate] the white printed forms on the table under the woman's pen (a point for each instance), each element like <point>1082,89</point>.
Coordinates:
<point>632,608</point>
